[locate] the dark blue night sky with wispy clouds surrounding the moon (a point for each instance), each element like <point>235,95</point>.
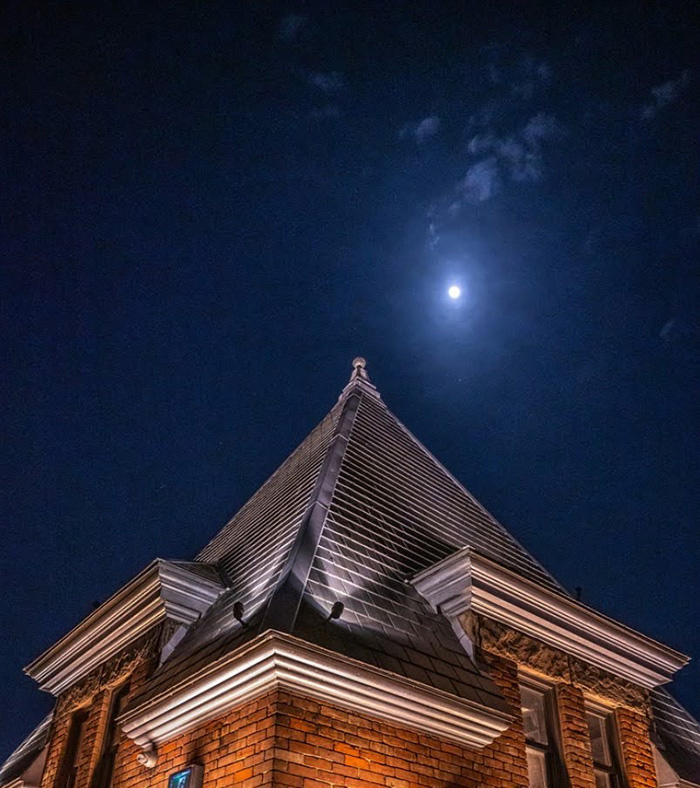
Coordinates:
<point>209,208</point>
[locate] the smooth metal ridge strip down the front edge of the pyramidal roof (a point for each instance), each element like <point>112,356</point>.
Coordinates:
<point>283,603</point>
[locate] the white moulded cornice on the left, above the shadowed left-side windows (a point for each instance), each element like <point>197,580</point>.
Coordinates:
<point>164,590</point>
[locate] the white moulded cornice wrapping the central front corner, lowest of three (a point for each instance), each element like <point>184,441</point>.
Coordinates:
<point>282,661</point>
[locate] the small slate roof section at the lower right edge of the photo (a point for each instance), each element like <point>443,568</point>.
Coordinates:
<point>677,735</point>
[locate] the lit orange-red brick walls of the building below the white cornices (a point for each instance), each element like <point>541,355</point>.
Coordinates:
<point>284,740</point>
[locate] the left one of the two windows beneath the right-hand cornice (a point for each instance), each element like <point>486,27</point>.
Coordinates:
<point>544,763</point>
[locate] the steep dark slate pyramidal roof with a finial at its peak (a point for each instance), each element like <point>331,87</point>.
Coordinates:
<point>357,509</point>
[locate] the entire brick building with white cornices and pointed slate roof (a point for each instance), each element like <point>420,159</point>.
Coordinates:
<point>361,621</point>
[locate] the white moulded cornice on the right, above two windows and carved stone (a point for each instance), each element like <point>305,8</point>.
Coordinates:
<point>466,581</point>
